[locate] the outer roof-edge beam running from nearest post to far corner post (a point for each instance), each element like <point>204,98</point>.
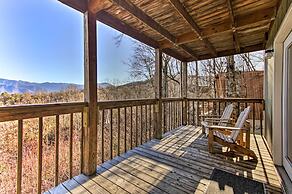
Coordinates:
<point>115,23</point>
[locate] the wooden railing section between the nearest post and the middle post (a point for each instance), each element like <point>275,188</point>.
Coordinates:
<point>128,123</point>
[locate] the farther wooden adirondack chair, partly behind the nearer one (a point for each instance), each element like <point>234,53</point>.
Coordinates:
<point>222,121</point>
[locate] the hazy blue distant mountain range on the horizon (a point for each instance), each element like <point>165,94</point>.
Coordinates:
<point>14,86</point>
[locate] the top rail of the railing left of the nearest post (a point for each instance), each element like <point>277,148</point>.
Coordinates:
<point>17,112</point>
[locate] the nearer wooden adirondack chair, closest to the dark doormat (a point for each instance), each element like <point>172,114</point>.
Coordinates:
<point>234,140</point>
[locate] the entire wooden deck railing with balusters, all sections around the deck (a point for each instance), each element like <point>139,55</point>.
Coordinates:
<point>122,125</point>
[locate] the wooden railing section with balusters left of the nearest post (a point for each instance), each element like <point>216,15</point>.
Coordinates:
<point>26,115</point>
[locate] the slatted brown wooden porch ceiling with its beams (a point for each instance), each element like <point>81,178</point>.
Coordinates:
<point>188,30</point>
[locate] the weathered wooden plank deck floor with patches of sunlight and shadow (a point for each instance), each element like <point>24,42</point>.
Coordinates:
<point>179,163</point>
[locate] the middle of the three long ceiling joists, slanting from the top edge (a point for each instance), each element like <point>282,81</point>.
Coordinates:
<point>184,13</point>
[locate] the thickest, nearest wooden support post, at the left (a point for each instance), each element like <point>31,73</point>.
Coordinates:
<point>90,94</point>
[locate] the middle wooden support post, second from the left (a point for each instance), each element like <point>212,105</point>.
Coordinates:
<point>158,94</point>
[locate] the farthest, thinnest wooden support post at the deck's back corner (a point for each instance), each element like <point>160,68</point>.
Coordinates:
<point>183,91</point>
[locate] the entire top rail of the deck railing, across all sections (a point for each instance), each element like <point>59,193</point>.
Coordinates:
<point>17,112</point>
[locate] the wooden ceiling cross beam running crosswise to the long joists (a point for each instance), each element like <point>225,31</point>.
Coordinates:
<point>243,21</point>
